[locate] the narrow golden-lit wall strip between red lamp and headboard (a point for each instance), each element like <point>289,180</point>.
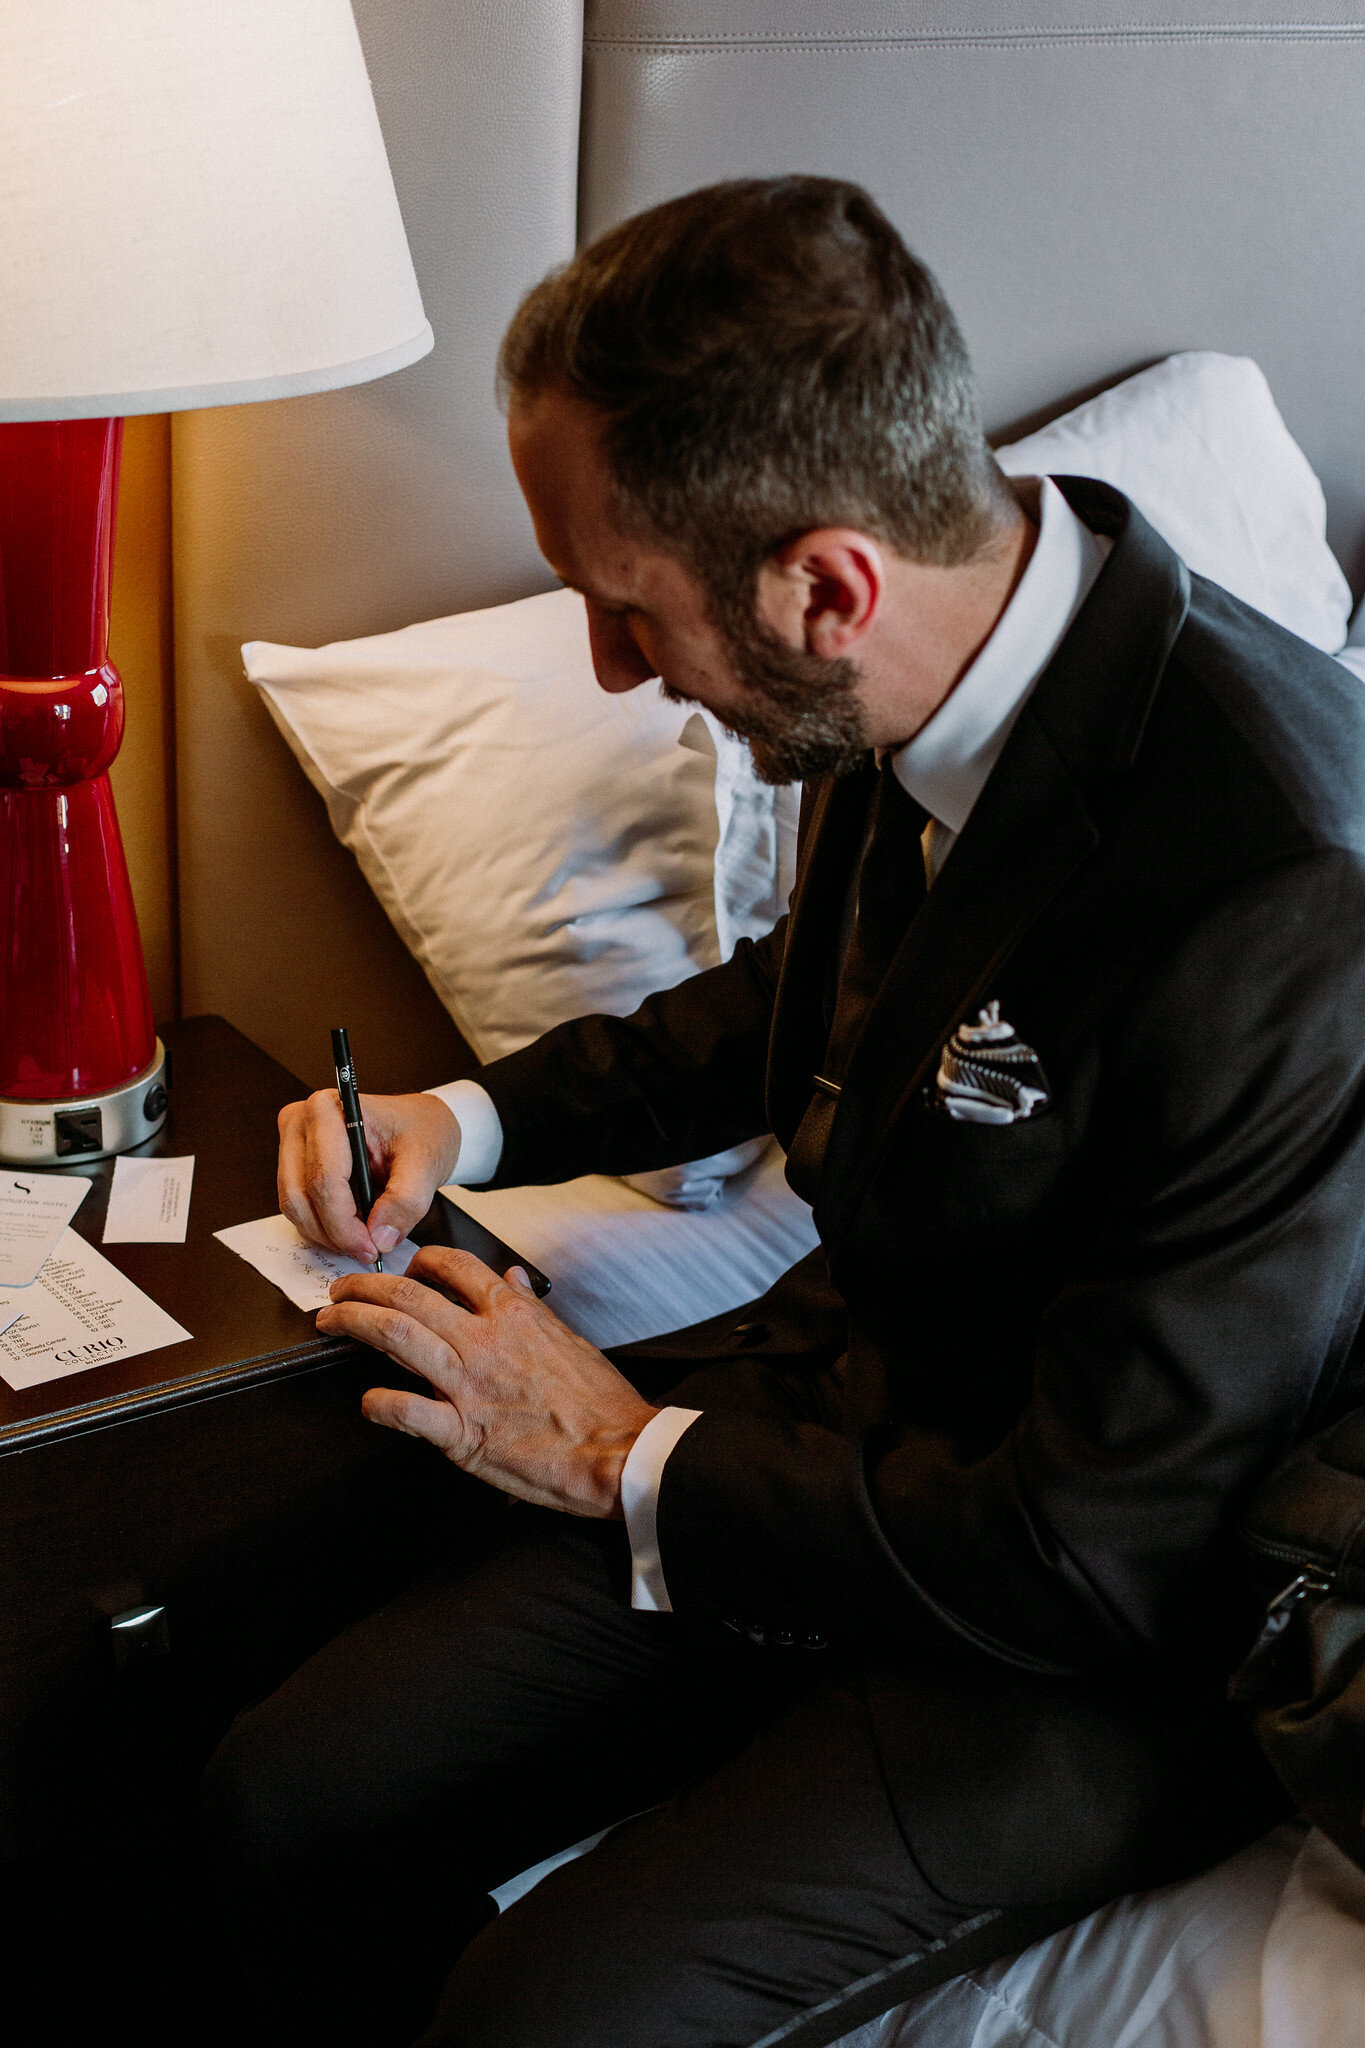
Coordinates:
<point>144,777</point>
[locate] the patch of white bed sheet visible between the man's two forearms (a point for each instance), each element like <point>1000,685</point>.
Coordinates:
<point>625,1267</point>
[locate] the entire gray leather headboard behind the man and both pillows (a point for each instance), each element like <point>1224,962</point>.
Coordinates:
<point>1096,183</point>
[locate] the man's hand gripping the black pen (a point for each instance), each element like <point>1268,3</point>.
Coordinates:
<point>414,1148</point>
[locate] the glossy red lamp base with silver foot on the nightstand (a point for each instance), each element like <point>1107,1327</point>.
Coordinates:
<point>75,1007</point>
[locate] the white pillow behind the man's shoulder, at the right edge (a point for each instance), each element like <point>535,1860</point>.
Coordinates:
<point>1202,452</point>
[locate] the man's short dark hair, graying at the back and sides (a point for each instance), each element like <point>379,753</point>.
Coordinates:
<point>768,357</point>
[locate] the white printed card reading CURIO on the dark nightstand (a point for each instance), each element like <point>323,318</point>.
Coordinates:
<point>81,1312</point>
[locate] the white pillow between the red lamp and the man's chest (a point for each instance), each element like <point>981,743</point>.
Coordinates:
<point>541,847</point>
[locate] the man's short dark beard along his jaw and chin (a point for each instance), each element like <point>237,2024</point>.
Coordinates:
<point>803,720</point>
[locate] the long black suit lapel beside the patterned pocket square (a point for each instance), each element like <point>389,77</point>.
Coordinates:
<point>1024,841</point>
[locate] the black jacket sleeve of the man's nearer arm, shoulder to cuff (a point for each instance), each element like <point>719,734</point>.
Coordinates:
<point>1213,1291</point>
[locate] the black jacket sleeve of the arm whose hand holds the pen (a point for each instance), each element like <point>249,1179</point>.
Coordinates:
<point>678,1080</point>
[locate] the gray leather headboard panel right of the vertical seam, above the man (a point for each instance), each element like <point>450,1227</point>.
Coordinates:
<point>1096,183</point>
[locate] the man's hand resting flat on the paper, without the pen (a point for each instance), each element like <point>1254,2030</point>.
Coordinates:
<point>519,1398</point>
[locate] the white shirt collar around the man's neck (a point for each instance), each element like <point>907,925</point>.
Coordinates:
<point>949,761</point>
